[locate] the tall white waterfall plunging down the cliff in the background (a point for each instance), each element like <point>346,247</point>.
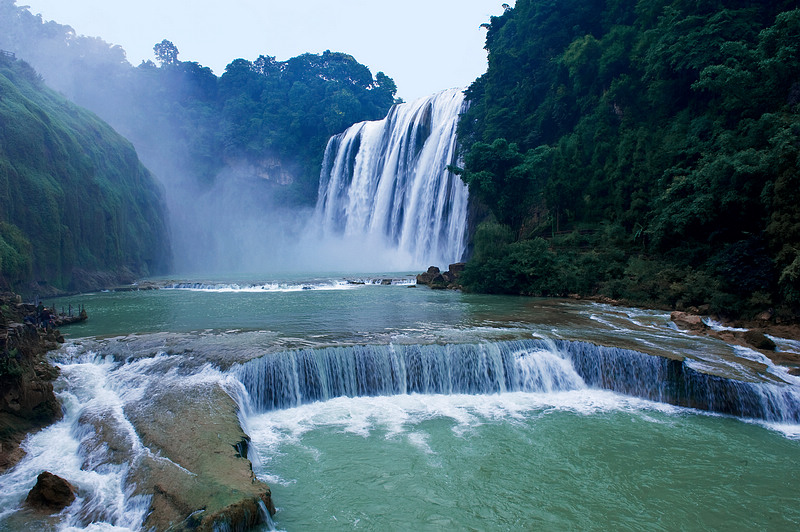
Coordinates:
<point>385,184</point>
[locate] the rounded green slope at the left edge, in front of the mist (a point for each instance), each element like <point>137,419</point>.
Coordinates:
<point>73,194</point>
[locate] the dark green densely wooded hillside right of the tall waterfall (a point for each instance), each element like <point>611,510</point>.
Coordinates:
<point>641,150</point>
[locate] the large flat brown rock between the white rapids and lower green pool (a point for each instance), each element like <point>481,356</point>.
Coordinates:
<point>196,472</point>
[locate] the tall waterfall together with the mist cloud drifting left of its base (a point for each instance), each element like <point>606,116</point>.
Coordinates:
<point>386,203</point>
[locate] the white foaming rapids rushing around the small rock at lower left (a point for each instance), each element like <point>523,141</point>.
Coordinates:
<point>90,389</point>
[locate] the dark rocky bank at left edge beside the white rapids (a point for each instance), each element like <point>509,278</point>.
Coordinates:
<point>27,401</point>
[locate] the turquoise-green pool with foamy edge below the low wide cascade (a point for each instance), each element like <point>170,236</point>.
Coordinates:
<point>572,461</point>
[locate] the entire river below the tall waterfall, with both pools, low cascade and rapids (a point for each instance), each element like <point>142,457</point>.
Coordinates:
<point>375,405</point>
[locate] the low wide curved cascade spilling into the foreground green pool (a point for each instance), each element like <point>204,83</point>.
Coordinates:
<point>293,378</point>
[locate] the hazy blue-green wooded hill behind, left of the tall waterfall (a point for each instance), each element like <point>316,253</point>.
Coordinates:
<point>273,117</point>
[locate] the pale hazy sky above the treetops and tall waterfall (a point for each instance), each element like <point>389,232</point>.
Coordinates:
<point>424,45</point>
